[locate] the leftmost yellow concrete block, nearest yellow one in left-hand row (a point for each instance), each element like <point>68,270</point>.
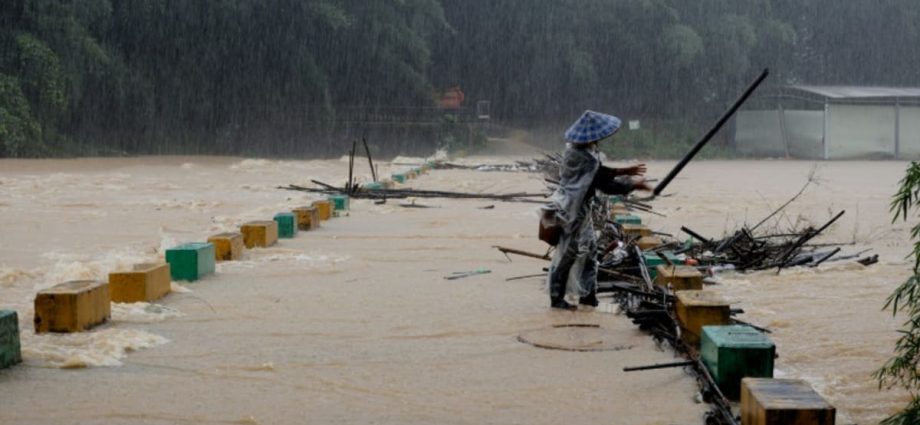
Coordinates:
<point>72,306</point>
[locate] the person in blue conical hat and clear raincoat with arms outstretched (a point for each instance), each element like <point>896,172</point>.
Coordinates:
<point>574,264</point>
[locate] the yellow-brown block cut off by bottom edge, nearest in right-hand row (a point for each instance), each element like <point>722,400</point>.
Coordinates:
<point>783,402</point>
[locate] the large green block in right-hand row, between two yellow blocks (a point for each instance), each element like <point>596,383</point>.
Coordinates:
<point>735,352</point>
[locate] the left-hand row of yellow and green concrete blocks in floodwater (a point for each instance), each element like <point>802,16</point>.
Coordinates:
<point>77,306</point>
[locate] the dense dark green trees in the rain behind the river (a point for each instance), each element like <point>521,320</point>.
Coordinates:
<point>225,76</point>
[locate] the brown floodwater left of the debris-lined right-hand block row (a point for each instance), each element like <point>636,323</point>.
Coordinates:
<point>351,323</point>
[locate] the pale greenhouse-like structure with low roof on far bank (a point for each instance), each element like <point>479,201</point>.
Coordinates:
<point>831,122</point>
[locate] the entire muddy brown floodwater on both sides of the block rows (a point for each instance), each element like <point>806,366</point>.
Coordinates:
<point>355,323</point>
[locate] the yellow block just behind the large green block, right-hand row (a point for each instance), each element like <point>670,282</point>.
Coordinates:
<point>695,309</point>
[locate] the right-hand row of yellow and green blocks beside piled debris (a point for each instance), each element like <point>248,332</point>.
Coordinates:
<point>739,358</point>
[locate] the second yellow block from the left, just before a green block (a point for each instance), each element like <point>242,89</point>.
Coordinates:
<point>145,282</point>
